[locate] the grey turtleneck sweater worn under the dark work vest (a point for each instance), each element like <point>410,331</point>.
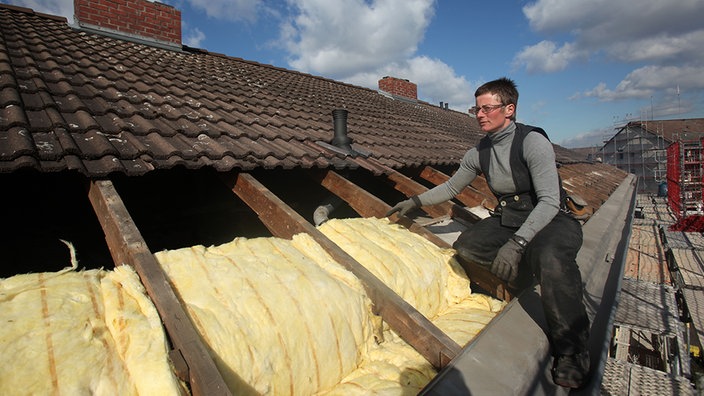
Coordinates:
<point>540,157</point>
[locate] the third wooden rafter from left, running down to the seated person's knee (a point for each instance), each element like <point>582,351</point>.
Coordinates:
<point>368,205</point>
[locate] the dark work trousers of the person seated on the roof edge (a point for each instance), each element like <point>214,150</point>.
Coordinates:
<point>551,258</point>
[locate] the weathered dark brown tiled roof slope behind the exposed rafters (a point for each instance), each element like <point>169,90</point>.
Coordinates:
<point>71,100</point>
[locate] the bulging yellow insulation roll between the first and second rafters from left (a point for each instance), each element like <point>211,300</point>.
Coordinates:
<point>280,316</point>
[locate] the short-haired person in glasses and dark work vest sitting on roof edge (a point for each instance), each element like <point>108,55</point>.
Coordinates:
<point>530,233</point>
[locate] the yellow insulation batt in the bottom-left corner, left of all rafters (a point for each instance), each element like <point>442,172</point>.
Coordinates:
<point>90,332</point>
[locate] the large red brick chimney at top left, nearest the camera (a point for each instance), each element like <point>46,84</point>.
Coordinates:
<point>139,19</point>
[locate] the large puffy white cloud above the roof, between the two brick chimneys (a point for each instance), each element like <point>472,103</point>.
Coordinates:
<point>362,41</point>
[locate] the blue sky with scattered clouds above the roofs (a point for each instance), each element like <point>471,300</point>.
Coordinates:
<point>582,67</point>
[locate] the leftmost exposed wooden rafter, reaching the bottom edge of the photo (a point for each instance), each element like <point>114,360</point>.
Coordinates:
<point>128,247</point>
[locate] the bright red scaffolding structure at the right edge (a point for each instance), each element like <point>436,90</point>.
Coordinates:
<point>685,184</point>
